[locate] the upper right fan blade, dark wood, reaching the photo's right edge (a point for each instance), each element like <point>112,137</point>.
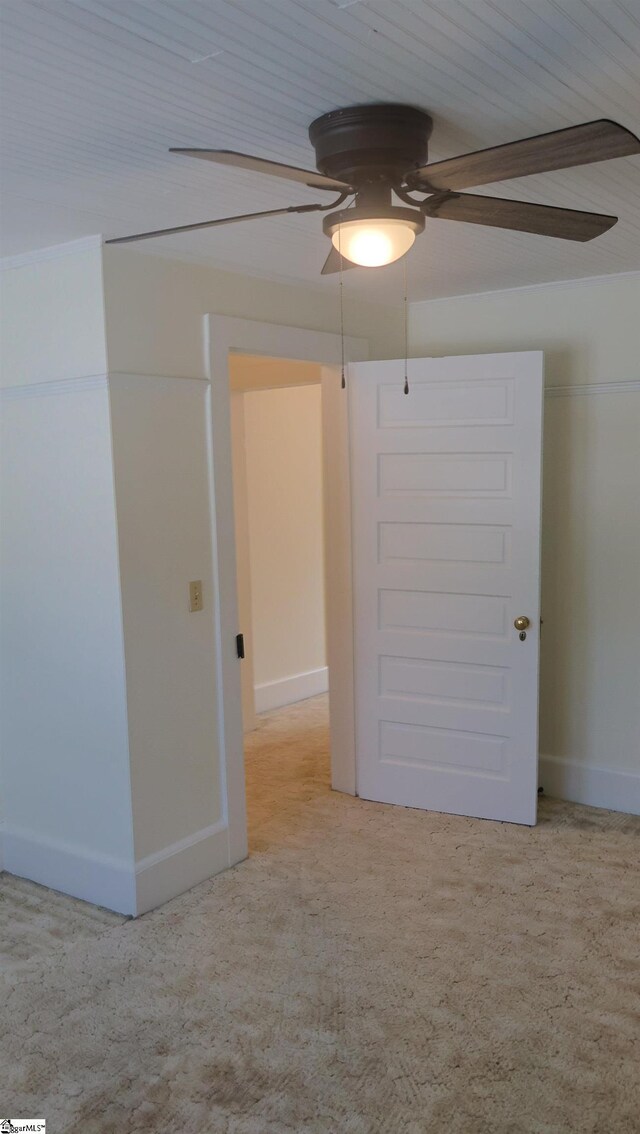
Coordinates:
<point>559,150</point>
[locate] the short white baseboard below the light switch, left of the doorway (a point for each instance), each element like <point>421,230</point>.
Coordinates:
<point>182,866</point>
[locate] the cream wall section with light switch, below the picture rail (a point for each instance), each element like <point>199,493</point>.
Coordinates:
<point>162,473</point>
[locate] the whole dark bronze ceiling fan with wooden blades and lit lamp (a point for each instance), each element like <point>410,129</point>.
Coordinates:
<point>374,153</point>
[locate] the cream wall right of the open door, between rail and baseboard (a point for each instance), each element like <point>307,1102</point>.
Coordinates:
<point>591,665</point>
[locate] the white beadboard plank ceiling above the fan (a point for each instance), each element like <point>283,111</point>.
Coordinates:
<point>96,92</point>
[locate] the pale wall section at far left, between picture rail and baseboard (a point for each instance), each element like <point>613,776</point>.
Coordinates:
<point>66,772</point>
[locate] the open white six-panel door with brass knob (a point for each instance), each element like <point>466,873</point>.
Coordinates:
<point>447,532</point>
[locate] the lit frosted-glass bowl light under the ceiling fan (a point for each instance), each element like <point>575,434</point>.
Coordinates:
<point>374,238</point>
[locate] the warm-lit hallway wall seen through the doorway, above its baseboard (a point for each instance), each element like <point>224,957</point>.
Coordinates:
<point>284,487</point>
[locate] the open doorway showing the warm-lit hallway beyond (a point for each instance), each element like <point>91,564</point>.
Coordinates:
<point>276,414</point>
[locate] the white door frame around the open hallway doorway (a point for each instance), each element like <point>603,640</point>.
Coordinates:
<point>223,336</point>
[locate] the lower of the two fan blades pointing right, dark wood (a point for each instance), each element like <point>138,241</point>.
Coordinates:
<point>498,213</point>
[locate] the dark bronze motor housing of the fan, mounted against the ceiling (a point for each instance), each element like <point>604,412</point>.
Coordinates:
<point>372,145</point>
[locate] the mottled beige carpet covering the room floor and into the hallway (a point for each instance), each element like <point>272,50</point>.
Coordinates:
<point>368,970</point>
